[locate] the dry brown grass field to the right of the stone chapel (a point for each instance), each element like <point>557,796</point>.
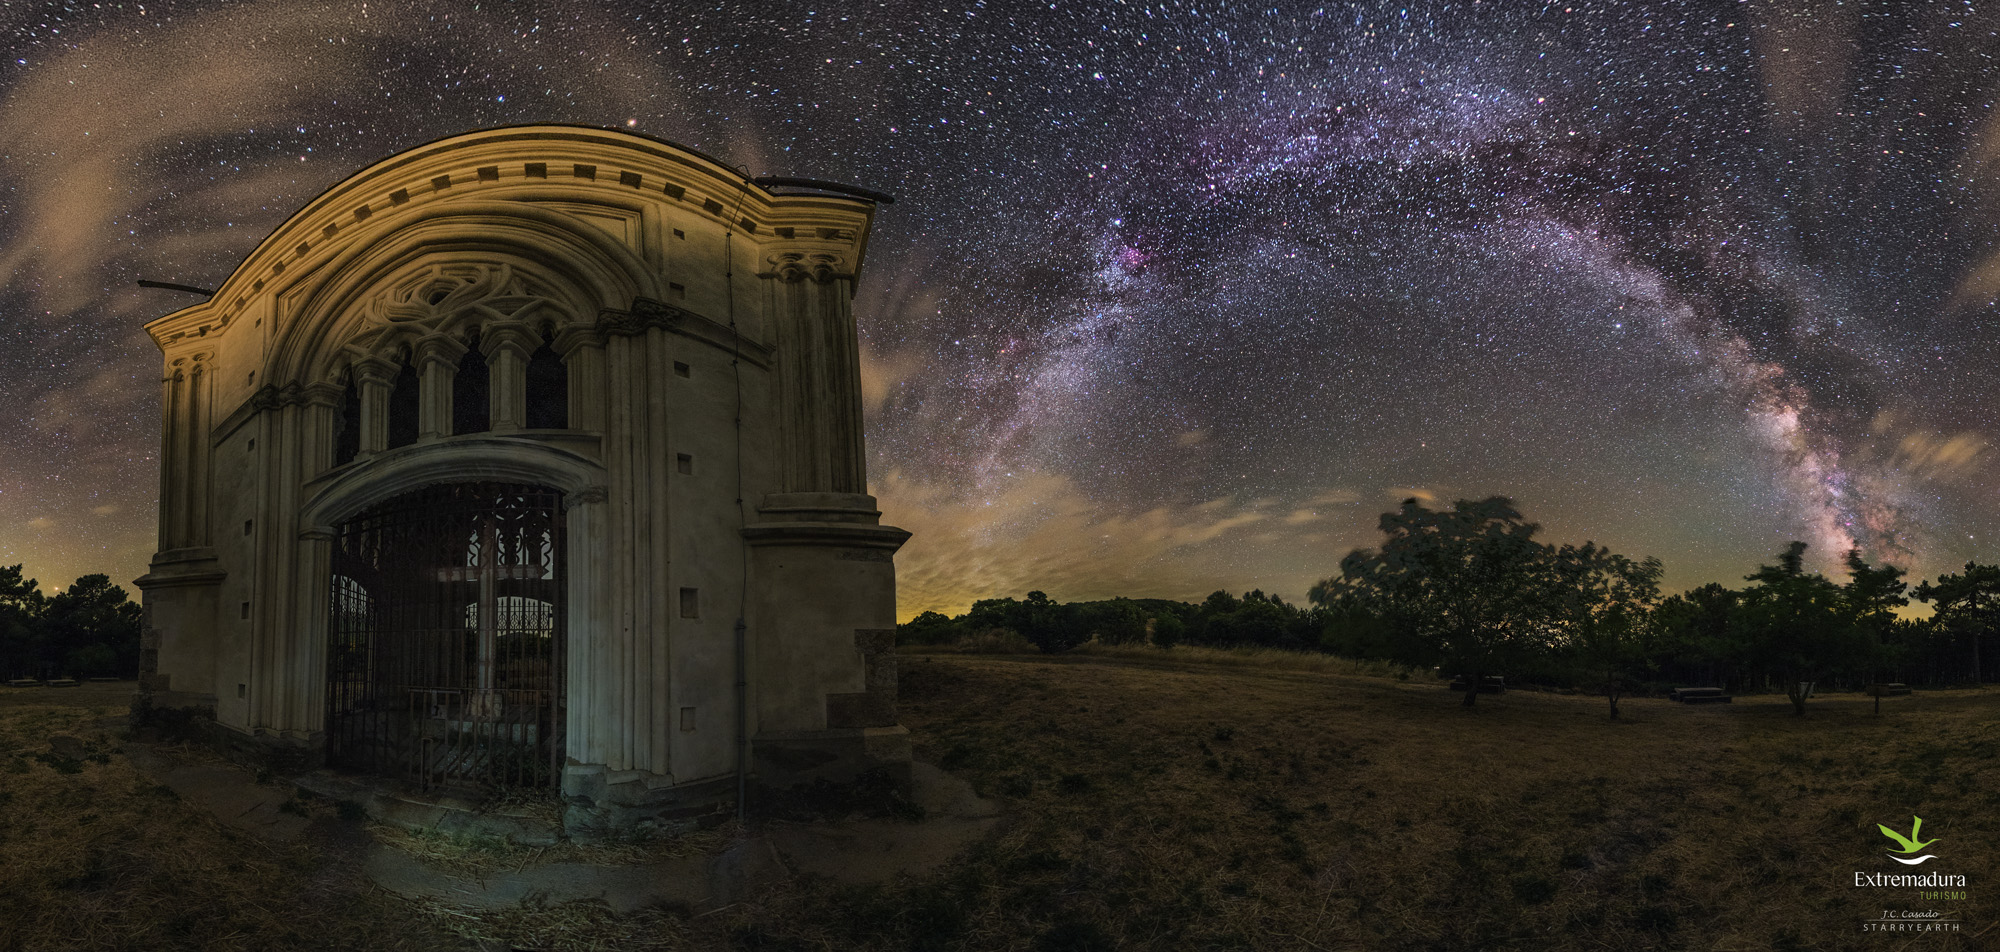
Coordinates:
<point>1167,807</point>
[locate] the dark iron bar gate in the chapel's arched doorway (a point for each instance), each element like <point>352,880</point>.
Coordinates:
<point>445,645</point>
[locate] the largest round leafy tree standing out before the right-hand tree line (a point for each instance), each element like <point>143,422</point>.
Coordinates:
<point>1465,587</point>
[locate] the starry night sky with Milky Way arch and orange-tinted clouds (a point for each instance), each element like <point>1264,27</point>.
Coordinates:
<point>1173,297</point>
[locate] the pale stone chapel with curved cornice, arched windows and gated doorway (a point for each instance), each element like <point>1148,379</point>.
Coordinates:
<point>533,457</point>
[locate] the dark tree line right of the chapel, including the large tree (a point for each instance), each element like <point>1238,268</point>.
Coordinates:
<point>1471,591</point>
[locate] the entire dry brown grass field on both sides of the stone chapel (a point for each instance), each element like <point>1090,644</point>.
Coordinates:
<point>1163,803</point>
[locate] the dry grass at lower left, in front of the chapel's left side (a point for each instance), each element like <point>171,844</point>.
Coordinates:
<point>95,855</point>
